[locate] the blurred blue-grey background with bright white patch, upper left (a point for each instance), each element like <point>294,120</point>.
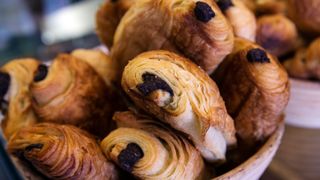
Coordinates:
<point>43,28</point>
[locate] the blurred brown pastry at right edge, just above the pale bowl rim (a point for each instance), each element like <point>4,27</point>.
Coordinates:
<point>306,62</point>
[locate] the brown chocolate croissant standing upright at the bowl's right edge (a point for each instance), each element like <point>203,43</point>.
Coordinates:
<point>255,88</point>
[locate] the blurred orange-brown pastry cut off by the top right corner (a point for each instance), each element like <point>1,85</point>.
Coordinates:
<point>306,14</point>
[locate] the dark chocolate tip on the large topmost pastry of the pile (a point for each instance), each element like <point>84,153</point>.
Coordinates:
<point>203,12</point>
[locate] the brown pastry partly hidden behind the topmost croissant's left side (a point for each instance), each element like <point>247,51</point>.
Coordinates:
<point>108,17</point>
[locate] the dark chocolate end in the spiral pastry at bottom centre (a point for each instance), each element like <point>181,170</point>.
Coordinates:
<point>129,156</point>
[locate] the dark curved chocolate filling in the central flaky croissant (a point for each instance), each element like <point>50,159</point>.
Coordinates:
<point>151,83</point>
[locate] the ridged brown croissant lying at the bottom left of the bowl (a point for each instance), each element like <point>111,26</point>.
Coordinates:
<point>61,152</point>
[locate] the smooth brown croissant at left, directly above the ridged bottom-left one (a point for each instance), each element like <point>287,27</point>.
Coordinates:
<point>72,92</point>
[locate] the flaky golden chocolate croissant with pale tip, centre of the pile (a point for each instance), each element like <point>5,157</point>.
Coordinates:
<point>180,93</point>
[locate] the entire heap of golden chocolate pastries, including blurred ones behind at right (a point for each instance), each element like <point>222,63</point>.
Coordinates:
<point>190,89</point>
